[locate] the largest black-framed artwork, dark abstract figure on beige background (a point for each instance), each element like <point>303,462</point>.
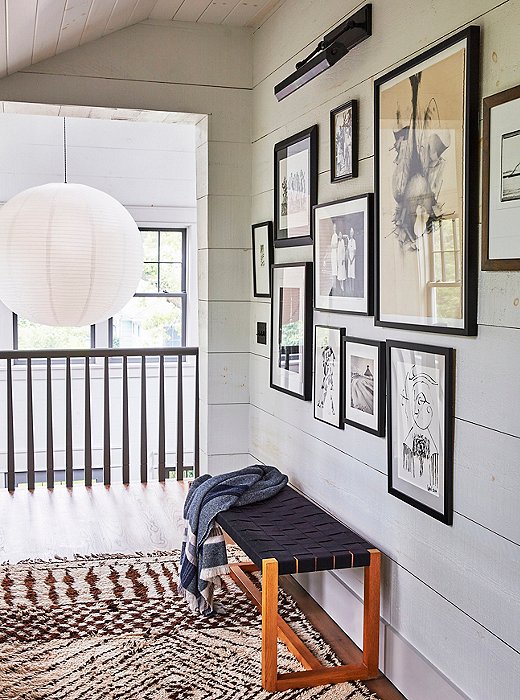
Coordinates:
<point>426,189</point>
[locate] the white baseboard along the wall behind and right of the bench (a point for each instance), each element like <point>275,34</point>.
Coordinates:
<point>402,664</point>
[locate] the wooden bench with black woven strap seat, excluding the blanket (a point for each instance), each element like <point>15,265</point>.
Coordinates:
<point>288,534</point>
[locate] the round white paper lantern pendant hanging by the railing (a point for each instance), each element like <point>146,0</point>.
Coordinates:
<point>70,255</point>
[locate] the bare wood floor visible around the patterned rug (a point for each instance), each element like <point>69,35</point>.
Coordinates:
<point>126,519</point>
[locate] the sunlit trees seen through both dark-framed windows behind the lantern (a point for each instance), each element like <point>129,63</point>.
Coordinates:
<point>154,317</point>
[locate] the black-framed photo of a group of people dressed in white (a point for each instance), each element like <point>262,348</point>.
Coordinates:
<point>343,255</point>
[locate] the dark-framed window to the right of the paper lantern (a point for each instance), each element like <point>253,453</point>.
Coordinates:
<point>156,314</point>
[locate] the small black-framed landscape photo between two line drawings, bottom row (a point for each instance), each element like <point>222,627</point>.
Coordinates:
<point>365,384</point>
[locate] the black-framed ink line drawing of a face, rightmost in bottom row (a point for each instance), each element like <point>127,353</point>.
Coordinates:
<point>420,404</point>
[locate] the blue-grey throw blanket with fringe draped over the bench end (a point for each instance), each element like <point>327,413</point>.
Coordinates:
<point>203,553</point>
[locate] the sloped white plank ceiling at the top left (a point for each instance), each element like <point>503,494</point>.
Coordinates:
<point>33,30</point>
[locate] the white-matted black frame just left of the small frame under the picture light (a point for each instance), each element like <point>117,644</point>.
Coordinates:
<point>295,187</point>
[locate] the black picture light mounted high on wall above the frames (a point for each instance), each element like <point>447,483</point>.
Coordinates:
<point>334,45</point>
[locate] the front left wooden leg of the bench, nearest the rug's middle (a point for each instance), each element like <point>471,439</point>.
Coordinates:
<point>269,624</point>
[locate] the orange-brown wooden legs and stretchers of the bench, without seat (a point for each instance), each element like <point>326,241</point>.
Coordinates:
<point>274,627</point>
